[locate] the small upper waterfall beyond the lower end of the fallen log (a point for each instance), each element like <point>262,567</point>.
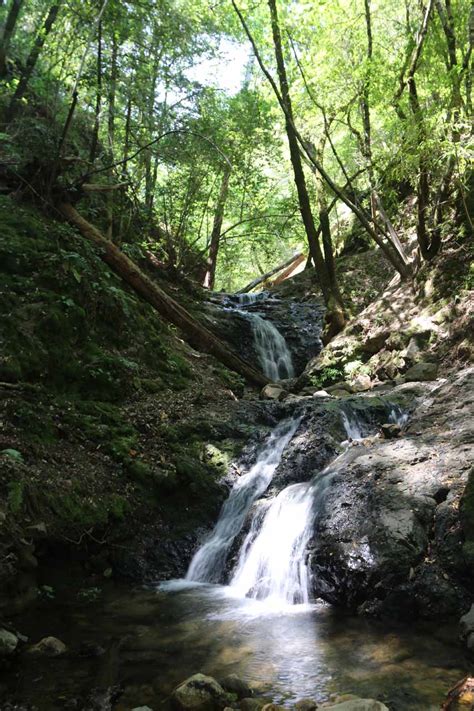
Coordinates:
<point>272,350</point>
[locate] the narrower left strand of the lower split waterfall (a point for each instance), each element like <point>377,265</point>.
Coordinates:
<point>209,562</point>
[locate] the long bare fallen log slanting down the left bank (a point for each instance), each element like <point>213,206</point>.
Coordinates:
<point>195,333</point>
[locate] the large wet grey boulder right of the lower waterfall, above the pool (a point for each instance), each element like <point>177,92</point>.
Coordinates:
<point>387,538</point>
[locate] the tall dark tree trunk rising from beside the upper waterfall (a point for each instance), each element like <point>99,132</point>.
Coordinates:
<point>331,298</point>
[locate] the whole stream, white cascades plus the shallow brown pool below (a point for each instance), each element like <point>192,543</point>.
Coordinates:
<point>254,616</point>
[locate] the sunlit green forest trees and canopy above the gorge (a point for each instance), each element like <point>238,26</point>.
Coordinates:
<point>235,135</point>
